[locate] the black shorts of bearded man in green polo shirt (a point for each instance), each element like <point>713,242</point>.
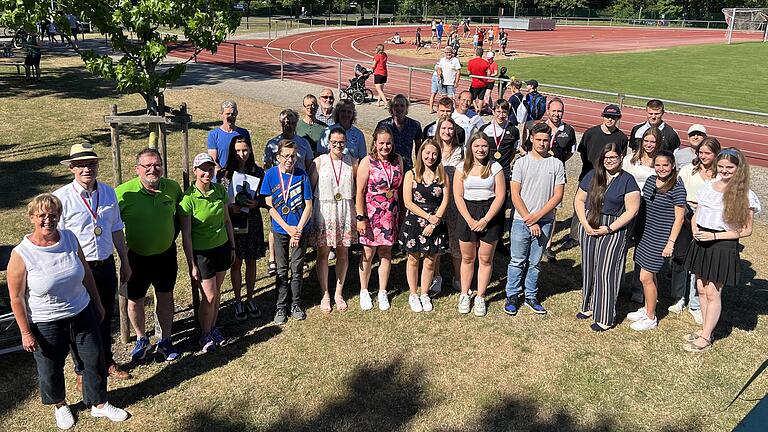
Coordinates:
<point>157,270</point>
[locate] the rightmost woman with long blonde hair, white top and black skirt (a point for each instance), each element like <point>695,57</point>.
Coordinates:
<point>725,213</point>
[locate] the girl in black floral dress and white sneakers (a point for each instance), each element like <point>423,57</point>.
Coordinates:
<point>423,234</point>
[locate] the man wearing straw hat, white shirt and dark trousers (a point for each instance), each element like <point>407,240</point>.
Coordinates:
<point>90,211</point>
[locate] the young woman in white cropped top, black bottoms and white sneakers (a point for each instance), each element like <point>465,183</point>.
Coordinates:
<point>479,191</point>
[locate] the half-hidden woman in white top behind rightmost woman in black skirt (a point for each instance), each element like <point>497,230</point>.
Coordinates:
<point>694,176</point>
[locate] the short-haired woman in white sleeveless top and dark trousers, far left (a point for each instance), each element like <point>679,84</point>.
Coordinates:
<point>57,306</point>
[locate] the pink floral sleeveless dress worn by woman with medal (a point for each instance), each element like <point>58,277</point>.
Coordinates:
<point>382,202</point>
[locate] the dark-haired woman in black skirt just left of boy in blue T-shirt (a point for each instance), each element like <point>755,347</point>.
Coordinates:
<point>249,241</point>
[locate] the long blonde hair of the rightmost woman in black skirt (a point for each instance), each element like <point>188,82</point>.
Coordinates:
<point>736,192</point>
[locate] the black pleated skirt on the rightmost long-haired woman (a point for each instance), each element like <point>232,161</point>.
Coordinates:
<point>716,261</point>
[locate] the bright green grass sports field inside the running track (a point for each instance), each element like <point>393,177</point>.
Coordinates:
<point>720,75</point>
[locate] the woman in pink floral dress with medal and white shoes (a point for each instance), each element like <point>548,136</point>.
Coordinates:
<point>379,175</point>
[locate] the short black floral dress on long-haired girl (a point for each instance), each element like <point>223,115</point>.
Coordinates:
<point>428,197</point>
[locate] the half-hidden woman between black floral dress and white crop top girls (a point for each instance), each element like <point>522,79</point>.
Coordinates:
<point>453,159</point>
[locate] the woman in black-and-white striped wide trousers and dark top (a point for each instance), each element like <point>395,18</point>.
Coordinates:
<point>607,200</point>
